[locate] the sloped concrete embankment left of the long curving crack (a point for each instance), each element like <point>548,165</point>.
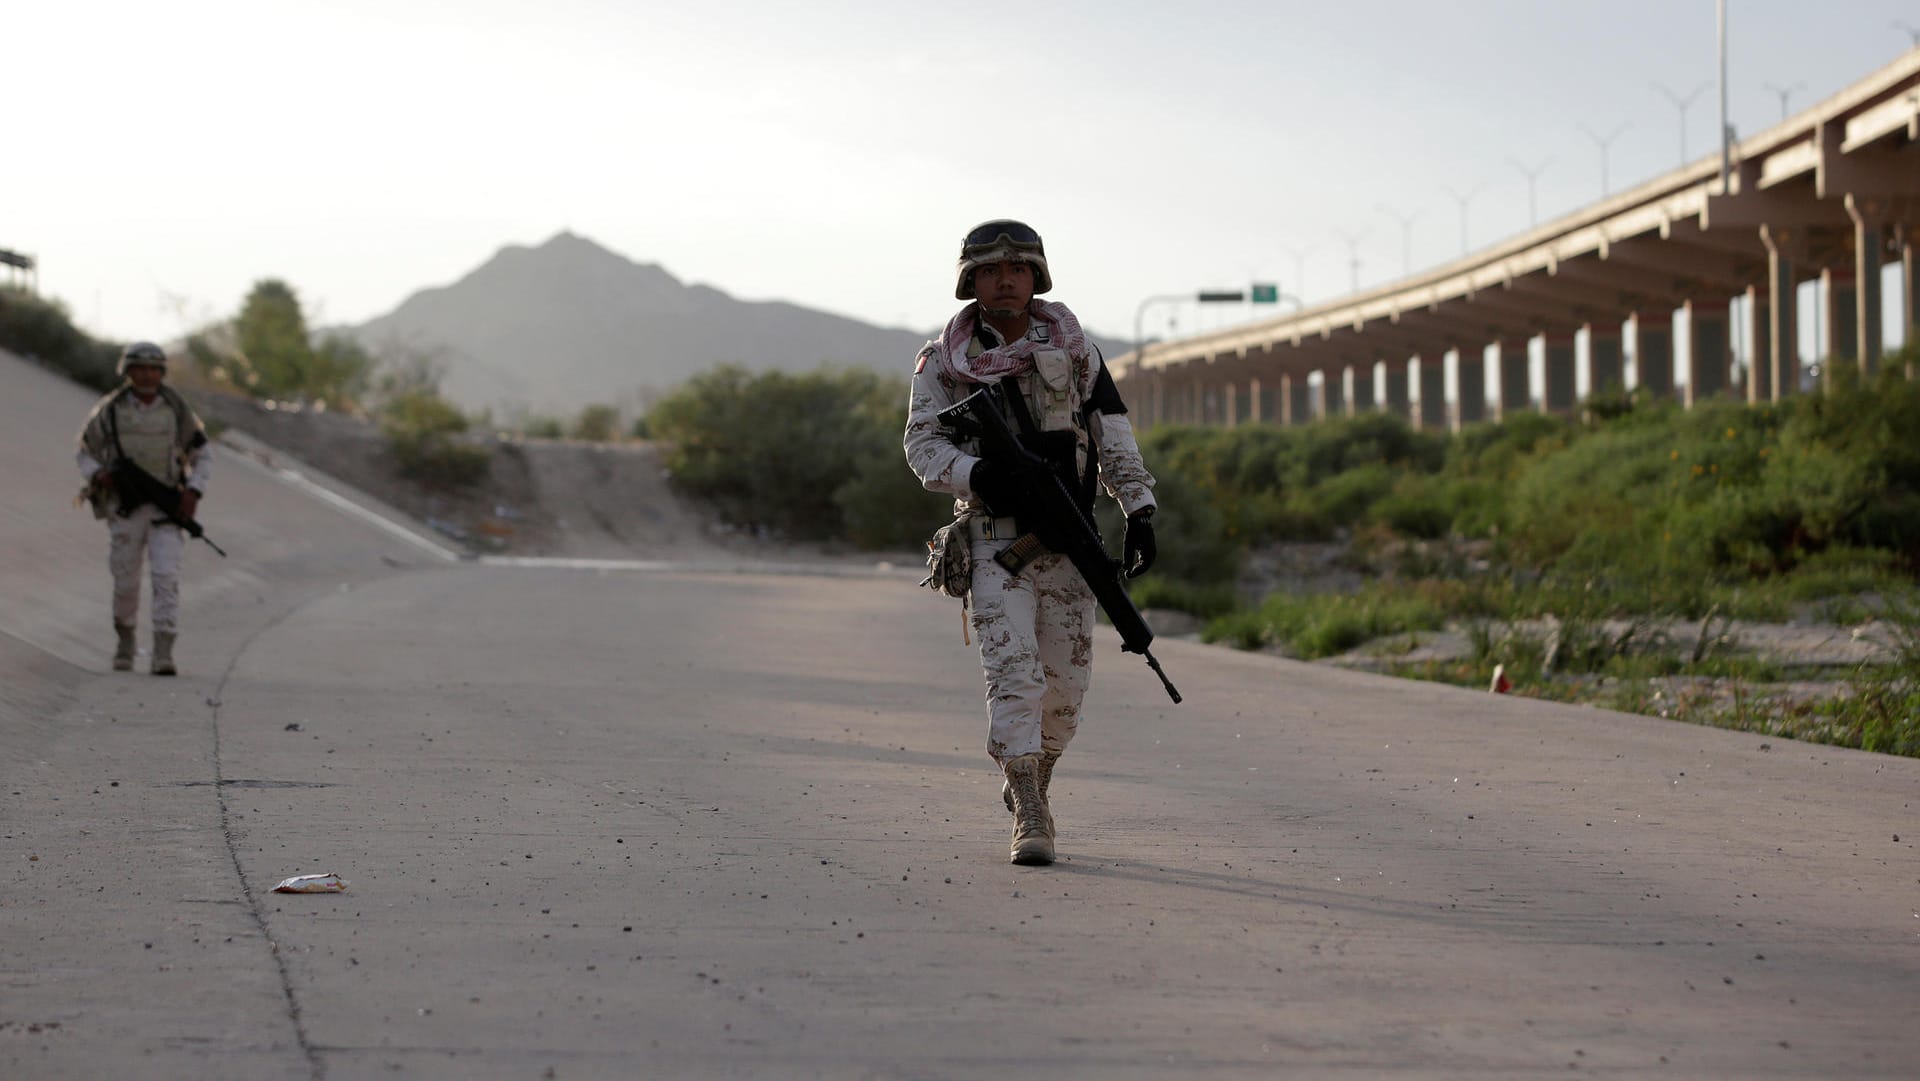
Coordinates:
<point>116,844</point>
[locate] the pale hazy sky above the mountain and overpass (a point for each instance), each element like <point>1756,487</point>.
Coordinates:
<point>160,158</point>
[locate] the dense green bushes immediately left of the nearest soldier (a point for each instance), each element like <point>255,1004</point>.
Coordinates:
<point>809,456</point>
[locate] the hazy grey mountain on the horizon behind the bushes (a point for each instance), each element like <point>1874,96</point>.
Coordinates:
<point>569,324</point>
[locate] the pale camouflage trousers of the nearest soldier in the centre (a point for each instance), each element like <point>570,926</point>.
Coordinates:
<point>1036,650</point>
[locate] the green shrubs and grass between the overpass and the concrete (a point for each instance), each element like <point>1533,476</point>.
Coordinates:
<point>1566,548</point>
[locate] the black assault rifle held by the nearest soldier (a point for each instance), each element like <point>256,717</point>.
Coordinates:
<point>1051,516</point>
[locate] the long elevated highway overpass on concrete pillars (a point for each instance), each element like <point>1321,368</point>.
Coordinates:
<point>1829,197</point>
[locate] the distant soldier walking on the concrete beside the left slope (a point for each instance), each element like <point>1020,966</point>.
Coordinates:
<point>145,425</point>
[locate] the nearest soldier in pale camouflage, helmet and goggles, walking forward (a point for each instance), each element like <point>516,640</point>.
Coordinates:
<point>1036,629</point>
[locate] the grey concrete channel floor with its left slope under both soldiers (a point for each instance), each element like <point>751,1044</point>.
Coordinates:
<point>692,825</point>
